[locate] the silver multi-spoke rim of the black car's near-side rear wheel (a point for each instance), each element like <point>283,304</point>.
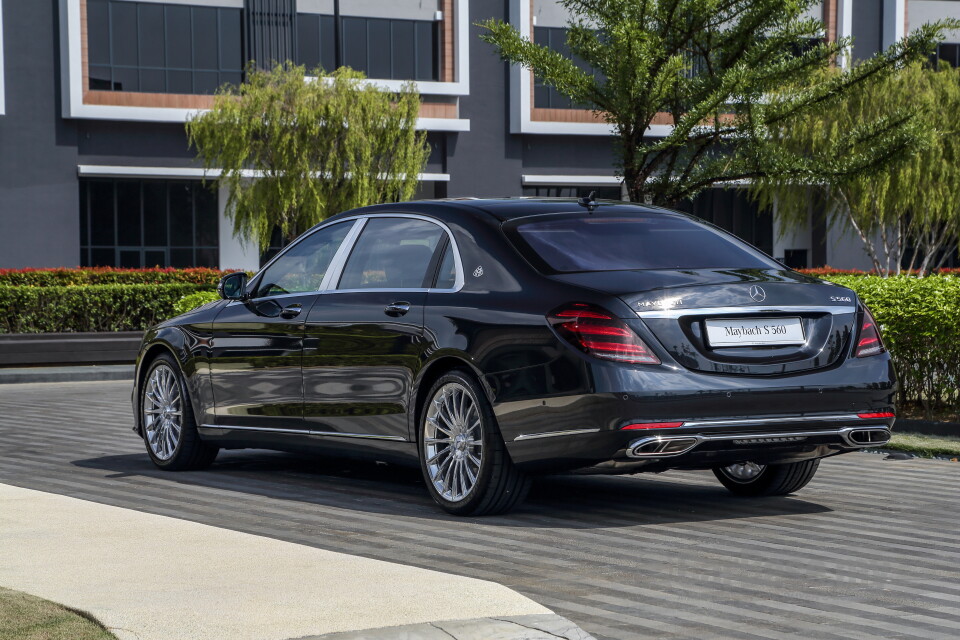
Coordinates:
<point>453,439</point>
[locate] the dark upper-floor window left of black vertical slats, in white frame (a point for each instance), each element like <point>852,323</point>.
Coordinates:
<point>162,48</point>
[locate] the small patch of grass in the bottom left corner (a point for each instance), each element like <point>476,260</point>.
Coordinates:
<point>25,617</point>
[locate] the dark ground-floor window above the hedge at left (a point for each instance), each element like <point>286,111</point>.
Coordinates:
<point>148,223</point>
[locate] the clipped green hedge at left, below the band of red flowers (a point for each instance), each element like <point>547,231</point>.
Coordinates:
<point>102,307</point>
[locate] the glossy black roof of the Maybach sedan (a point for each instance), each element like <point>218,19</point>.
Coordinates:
<point>501,209</point>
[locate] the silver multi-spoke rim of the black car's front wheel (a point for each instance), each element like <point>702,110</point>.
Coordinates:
<point>162,412</point>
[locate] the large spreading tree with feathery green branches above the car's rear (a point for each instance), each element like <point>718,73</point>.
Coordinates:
<point>726,72</point>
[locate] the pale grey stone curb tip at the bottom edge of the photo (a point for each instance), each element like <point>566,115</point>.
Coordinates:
<point>528,627</point>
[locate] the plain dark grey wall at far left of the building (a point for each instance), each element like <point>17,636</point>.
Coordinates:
<point>39,202</point>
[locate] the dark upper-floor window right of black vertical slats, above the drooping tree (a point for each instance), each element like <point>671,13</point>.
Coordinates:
<point>384,49</point>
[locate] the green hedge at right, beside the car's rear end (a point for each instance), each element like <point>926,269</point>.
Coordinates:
<point>918,322</point>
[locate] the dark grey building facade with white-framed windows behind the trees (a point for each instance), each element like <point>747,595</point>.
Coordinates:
<point>94,163</point>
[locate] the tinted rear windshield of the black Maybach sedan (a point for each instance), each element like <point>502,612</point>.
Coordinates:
<point>567,243</point>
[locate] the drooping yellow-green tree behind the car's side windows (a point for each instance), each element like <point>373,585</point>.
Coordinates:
<point>295,151</point>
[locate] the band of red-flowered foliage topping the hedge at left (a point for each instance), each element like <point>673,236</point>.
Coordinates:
<point>107,275</point>
